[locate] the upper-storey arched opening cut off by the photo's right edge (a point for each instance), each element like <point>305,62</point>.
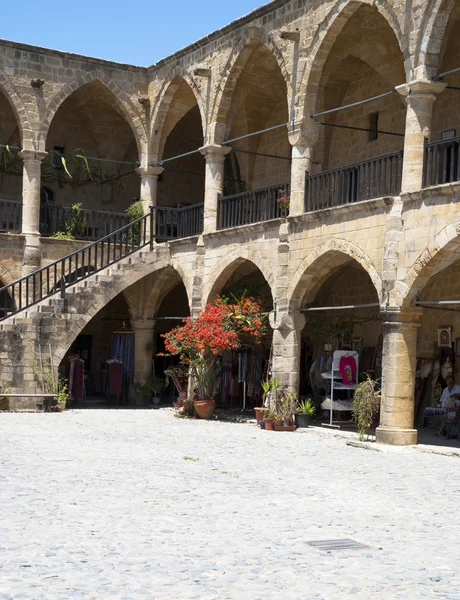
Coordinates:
<point>443,152</point>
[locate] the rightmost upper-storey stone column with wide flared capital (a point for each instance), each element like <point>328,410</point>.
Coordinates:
<point>419,95</point>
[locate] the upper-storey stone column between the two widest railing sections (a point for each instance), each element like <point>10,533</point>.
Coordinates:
<point>302,140</point>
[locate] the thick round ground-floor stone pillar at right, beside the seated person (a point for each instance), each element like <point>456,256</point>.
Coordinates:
<point>398,378</point>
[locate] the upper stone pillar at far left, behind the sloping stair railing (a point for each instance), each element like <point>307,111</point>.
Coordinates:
<point>31,177</point>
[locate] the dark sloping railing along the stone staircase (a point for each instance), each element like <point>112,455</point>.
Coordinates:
<point>74,267</point>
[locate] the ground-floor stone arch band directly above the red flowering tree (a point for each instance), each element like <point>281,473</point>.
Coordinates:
<point>218,277</point>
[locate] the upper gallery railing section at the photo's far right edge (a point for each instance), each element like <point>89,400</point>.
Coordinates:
<point>441,162</point>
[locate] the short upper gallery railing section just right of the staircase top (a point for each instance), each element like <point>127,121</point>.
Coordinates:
<point>173,223</point>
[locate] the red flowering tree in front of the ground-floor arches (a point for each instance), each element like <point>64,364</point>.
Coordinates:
<point>221,326</point>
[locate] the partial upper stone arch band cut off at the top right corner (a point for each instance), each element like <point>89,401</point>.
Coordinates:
<point>432,33</point>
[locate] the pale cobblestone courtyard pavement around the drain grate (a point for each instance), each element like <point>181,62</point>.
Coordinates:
<point>136,505</point>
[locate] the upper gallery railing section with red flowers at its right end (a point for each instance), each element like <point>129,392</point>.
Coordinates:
<point>251,207</point>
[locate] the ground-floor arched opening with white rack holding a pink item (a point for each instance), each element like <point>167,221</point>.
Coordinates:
<point>342,313</point>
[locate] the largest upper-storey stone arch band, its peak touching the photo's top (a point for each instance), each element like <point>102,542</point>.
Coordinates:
<point>325,37</point>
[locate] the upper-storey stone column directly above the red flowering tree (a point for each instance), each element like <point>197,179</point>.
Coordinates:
<point>214,182</point>
